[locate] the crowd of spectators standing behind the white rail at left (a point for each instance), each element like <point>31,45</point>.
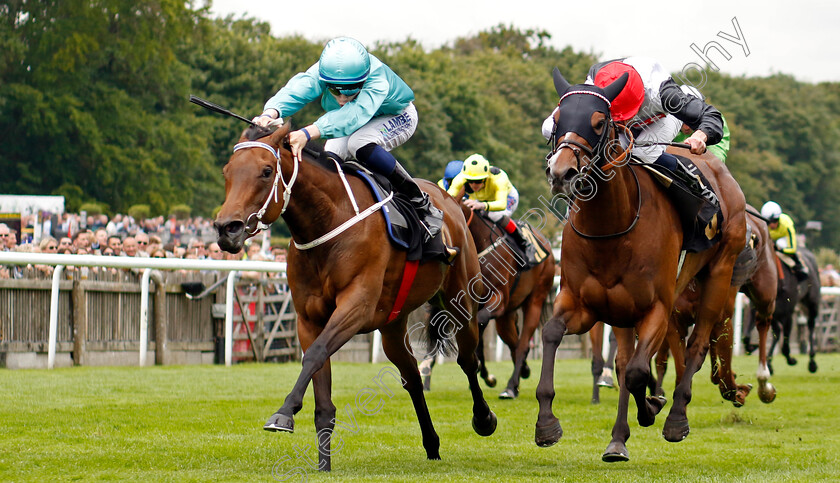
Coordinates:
<point>192,238</point>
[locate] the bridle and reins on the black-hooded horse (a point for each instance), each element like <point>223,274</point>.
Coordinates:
<point>599,159</point>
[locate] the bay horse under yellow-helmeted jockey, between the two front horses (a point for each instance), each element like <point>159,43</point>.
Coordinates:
<point>511,288</point>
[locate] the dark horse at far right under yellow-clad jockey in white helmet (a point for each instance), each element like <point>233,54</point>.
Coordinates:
<point>793,293</point>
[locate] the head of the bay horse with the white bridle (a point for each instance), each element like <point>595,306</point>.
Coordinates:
<point>252,195</point>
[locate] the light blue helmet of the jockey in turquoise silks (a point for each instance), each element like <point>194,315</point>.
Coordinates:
<point>344,61</point>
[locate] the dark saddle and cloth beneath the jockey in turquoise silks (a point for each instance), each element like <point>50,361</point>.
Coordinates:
<point>405,231</point>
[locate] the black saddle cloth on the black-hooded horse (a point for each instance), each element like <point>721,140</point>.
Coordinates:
<point>696,202</point>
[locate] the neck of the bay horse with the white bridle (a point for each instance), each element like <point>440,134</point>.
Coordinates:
<point>312,209</point>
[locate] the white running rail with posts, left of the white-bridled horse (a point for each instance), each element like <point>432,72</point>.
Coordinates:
<point>60,261</point>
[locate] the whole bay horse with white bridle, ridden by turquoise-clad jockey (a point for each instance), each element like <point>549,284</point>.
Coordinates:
<point>346,283</point>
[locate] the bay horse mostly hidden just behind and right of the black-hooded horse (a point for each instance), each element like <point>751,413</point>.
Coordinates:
<point>758,281</point>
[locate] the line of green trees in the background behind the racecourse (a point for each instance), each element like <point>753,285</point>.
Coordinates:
<point>93,106</point>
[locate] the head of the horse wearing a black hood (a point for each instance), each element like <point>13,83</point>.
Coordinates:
<point>583,133</point>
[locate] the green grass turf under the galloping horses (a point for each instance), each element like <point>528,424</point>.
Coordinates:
<point>204,423</point>
